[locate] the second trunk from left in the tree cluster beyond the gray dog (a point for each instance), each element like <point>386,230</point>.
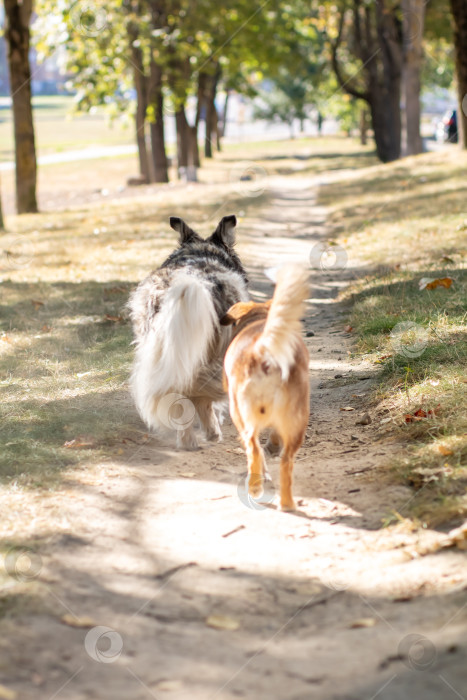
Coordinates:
<point>156,106</point>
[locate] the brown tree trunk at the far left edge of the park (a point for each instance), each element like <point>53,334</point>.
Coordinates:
<point>18,15</point>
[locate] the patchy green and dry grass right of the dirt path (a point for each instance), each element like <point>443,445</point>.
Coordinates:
<point>397,234</point>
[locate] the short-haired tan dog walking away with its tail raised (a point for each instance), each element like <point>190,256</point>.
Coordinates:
<point>266,375</point>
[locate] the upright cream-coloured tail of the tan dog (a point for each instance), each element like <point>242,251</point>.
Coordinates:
<point>283,327</point>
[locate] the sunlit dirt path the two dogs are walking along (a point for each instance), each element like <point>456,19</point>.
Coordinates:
<point>207,598</point>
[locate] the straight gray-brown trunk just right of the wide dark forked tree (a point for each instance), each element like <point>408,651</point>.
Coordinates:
<point>413,13</point>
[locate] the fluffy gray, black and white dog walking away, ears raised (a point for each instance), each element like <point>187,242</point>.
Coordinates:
<point>180,344</point>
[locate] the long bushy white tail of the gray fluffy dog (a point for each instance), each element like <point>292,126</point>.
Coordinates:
<point>176,347</point>
